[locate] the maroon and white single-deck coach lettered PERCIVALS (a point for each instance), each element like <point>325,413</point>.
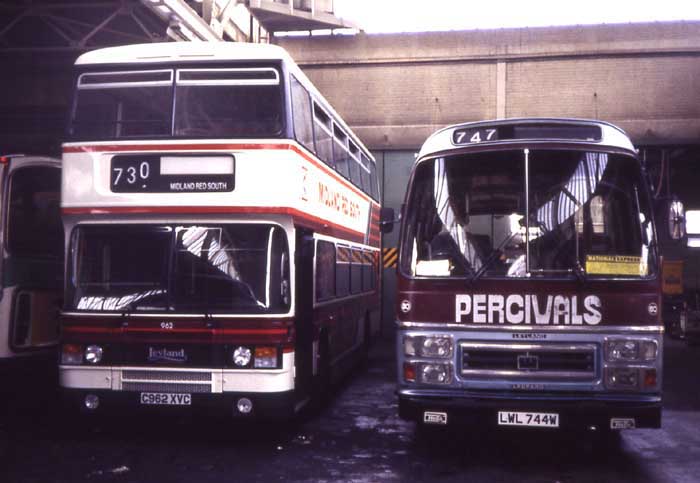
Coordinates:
<point>529,290</point>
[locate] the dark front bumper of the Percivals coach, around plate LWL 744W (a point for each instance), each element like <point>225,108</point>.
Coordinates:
<point>574,413</point>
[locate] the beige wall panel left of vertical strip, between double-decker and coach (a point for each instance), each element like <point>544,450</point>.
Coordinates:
<point>398,106</point>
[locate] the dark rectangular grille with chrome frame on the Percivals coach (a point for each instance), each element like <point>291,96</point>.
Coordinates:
<point>529,361</point>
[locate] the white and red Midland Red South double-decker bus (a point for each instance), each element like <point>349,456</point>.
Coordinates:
<point>222,232</point>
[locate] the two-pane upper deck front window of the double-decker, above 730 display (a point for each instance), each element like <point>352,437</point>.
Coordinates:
<point>208,103</point>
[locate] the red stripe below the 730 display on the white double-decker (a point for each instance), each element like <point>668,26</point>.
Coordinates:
<point>111,210</point>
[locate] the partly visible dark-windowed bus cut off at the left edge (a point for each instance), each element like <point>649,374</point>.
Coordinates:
<point>31,241</point>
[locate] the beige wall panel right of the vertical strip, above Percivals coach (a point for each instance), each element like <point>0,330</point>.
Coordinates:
<point>654,98</point>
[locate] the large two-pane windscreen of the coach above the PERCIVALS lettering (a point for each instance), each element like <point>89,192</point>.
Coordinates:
<point>528,213</point>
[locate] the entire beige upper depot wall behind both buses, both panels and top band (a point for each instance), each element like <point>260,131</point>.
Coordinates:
<point>396,89</point>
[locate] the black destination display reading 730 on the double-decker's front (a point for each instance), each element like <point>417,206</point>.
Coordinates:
<point>147,173</point>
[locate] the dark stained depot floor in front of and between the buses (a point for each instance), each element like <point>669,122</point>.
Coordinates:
<point>358,437</point>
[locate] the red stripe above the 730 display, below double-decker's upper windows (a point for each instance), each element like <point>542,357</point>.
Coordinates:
<point>214,147</point>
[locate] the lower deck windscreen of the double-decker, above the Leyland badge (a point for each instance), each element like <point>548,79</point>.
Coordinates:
<point>224,269</point>
